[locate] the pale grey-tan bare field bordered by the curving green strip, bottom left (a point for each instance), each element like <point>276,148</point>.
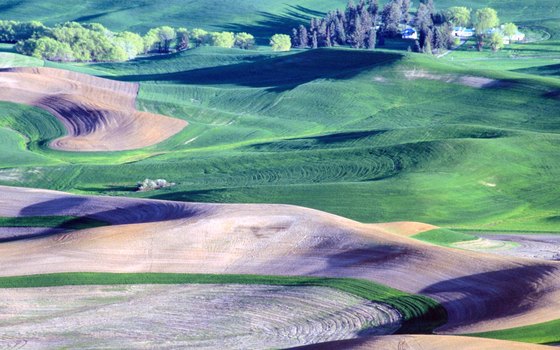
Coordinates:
<point>187,316</point>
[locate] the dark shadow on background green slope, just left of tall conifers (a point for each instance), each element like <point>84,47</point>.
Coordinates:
<point>271,24</point>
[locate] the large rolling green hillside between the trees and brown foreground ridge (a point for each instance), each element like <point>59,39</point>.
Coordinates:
<point>375,136</point>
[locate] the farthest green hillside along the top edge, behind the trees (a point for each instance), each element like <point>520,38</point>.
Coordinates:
<point>257,16</point>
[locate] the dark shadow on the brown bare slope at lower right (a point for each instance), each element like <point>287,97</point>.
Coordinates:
<point>491,295</point>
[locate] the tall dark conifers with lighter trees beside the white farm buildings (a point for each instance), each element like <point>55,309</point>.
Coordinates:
<point>366,25</point>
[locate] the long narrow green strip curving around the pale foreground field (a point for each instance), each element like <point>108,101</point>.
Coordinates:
<point>420,314</point>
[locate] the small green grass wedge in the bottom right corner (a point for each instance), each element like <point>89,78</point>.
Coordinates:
<point>541,333</point>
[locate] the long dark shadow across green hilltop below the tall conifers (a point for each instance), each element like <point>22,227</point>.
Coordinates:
<point>280,73</point>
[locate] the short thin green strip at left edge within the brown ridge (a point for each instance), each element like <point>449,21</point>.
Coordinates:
<point>64,222</point>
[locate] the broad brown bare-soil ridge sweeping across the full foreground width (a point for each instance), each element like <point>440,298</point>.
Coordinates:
<point>480,291</point>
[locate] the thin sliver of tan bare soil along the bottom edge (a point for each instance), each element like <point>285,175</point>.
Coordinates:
<point>425,342</point>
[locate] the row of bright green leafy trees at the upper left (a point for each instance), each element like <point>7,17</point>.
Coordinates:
<point>73,41</point>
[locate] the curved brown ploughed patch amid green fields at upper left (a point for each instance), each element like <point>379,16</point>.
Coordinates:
<point>99,114</point>
